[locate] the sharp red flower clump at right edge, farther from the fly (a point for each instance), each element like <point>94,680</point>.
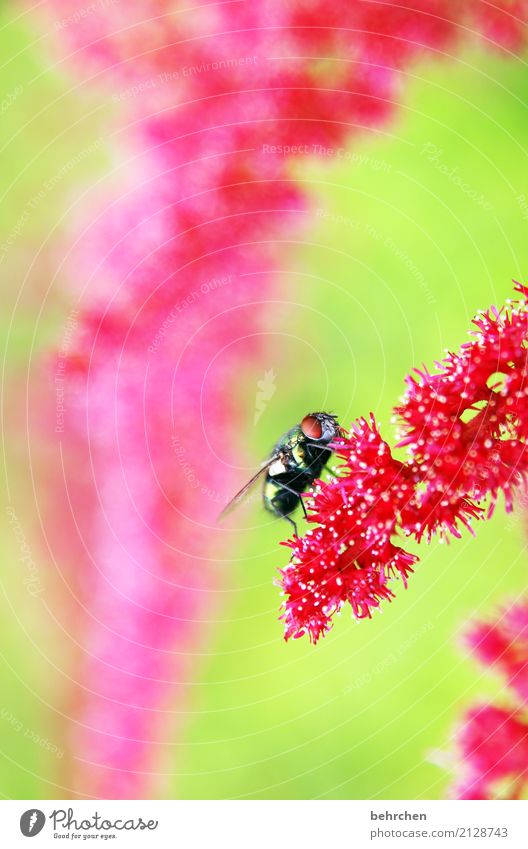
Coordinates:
<point>465,426</point>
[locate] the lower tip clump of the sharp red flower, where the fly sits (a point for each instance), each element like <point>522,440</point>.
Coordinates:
<point>350,557</point>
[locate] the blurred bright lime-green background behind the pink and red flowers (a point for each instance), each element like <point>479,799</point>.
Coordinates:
<point>408,234</point>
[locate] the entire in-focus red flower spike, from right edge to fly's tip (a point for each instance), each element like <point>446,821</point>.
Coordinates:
<point>464,428</point>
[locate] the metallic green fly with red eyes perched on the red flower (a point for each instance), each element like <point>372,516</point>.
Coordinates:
<point>296,461</point>
